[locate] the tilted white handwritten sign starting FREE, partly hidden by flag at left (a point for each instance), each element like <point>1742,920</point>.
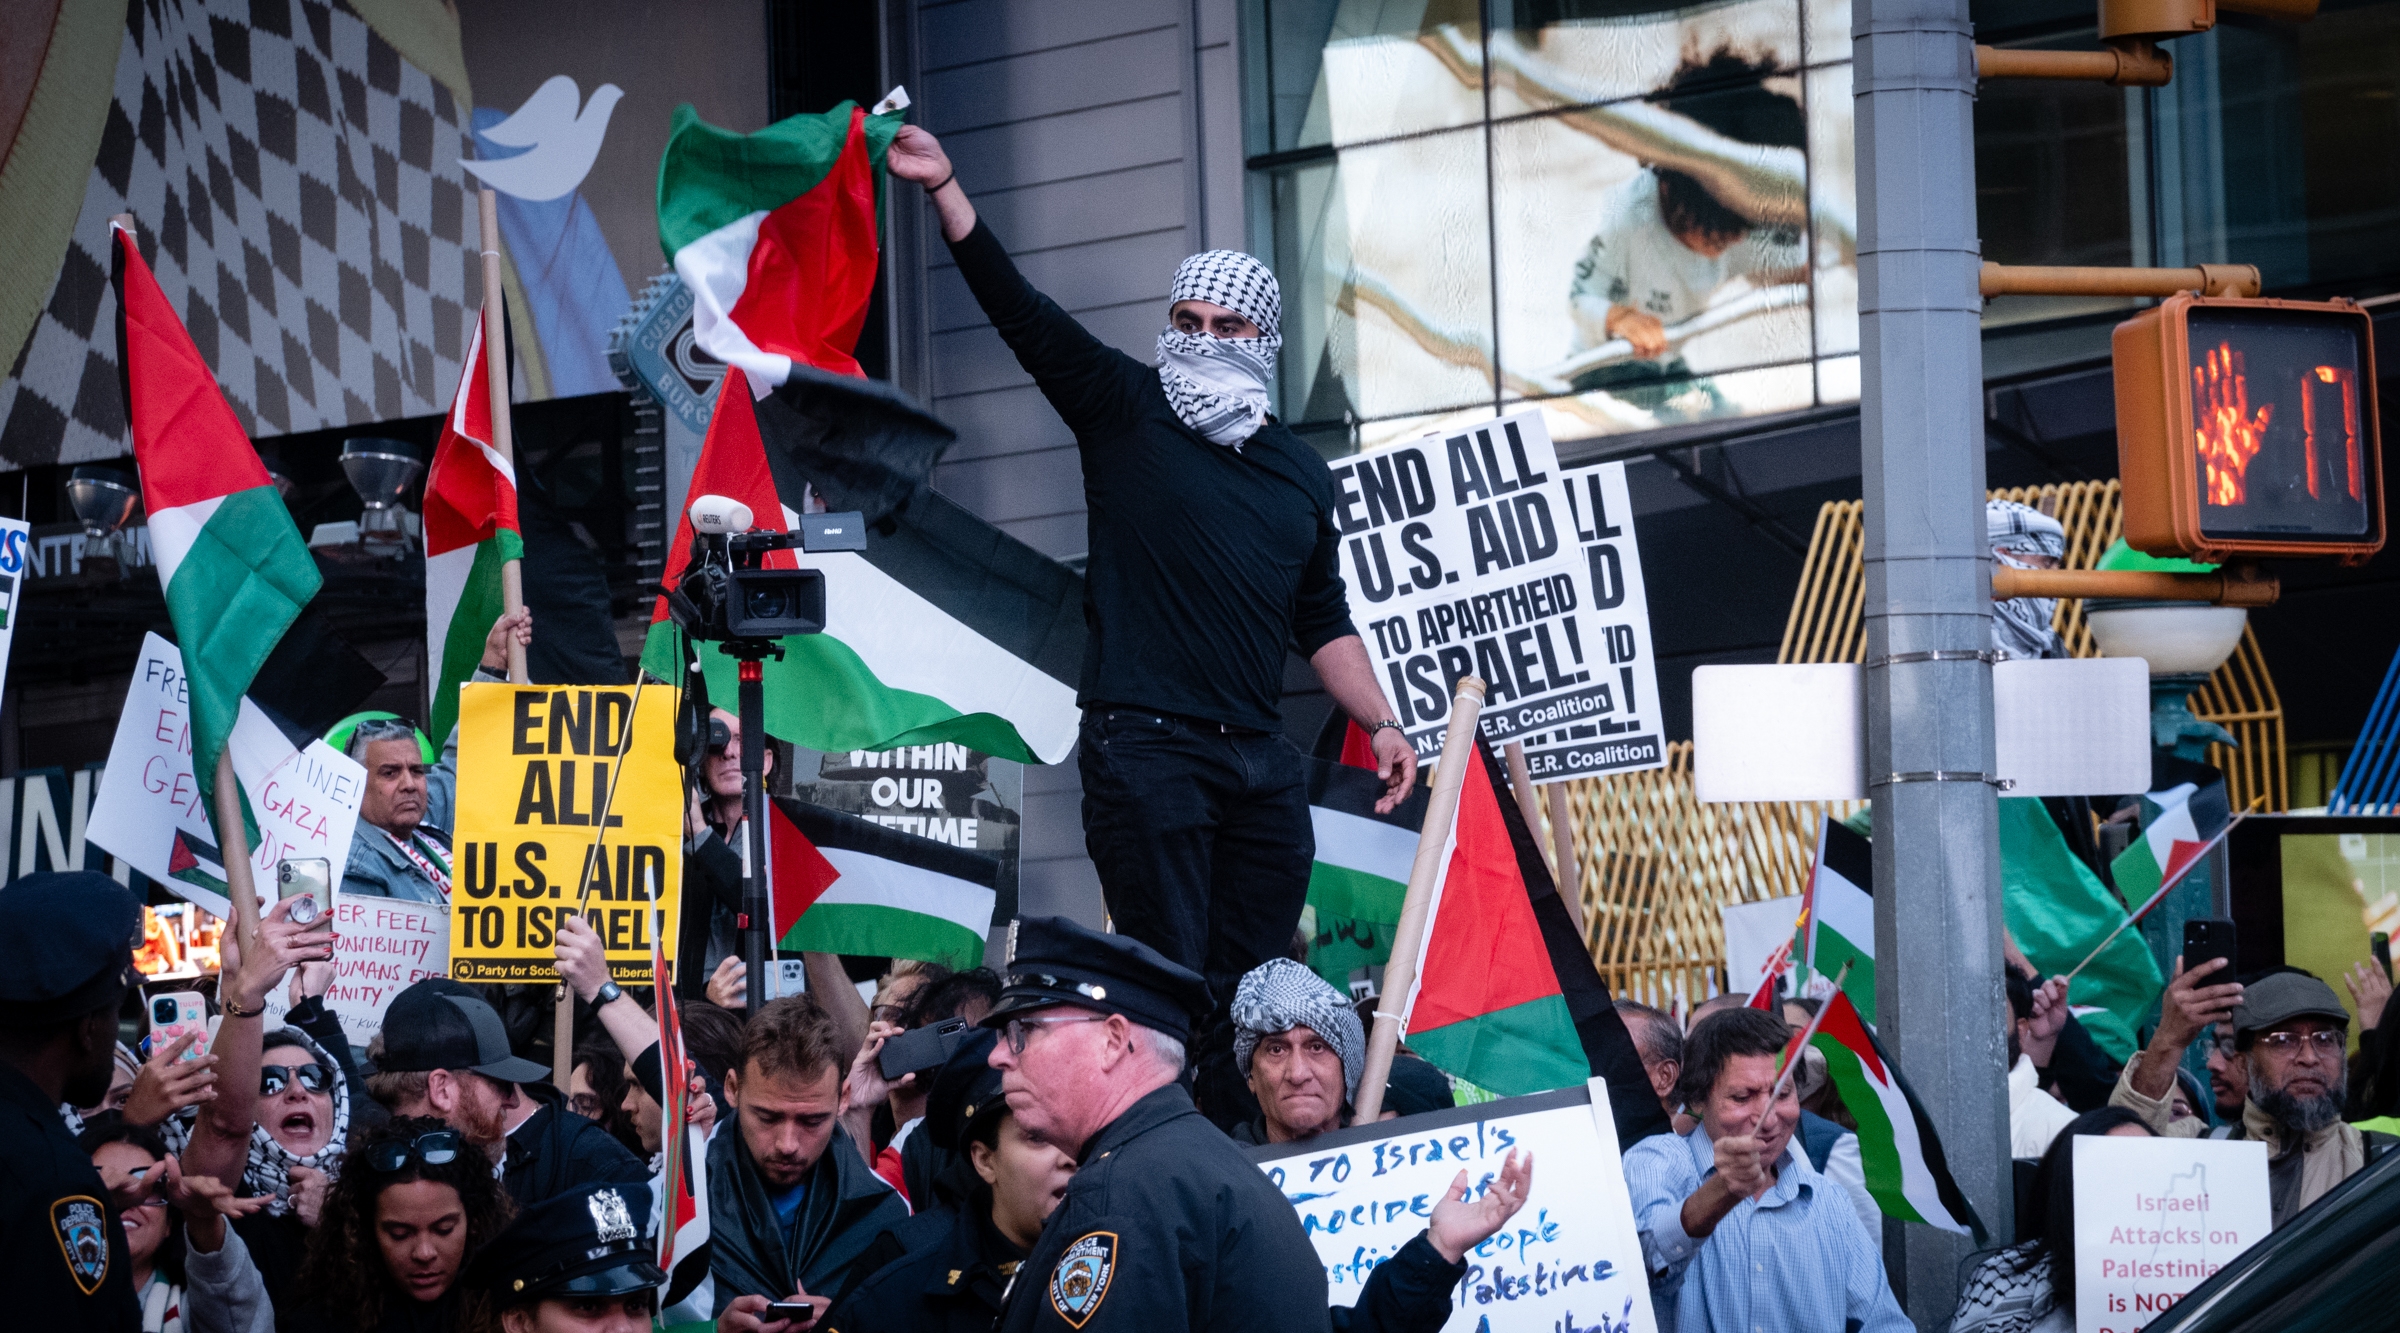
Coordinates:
<point>152,811</point>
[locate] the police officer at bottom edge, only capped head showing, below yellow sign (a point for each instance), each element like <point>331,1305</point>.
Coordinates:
<point>577,1262</point>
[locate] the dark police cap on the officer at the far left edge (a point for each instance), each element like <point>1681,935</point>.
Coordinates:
<point>66,945</point>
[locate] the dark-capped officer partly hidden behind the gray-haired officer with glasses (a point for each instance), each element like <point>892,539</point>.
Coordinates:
<point>1000,1185</point>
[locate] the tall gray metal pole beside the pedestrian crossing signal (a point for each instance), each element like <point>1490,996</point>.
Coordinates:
<point>1940,1003</point>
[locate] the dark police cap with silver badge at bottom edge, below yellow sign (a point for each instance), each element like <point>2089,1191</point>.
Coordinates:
<point>587,1243</point>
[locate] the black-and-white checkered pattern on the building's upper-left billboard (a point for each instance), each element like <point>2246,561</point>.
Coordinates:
<point>299,193</point>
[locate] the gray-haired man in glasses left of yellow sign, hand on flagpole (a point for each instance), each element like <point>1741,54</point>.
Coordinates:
<point>404,818</point>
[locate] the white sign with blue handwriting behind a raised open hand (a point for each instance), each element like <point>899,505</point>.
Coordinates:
<point>1568,1260</point>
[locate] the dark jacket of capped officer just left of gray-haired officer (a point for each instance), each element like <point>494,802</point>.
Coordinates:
<point>952,1277</point>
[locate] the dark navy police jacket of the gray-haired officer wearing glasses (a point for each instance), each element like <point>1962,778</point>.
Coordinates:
<point>1168,1226</point>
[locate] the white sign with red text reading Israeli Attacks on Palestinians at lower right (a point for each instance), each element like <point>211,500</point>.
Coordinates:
<point>2156,1219</point>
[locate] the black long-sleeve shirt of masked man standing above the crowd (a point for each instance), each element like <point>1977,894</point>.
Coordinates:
<point>1208,563</point>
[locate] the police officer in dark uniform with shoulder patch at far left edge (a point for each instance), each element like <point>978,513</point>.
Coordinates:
<point>66,969</point>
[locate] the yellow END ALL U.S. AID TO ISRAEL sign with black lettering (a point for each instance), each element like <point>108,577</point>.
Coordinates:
<point>565,796</point>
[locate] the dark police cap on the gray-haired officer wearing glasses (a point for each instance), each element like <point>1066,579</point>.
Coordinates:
<point>1060,962</point>
